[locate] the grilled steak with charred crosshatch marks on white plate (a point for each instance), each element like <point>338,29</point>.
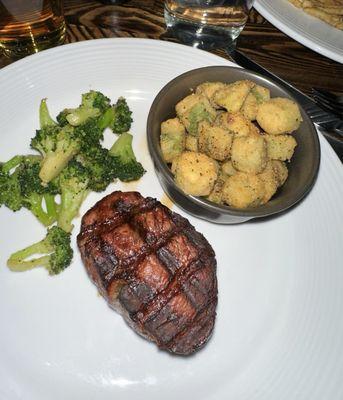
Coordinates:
<point>153,267</point>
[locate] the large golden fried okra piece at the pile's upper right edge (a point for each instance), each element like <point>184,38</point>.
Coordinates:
<point>278,116</point>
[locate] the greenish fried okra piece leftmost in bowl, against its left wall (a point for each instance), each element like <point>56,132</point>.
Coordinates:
<point>172,139</point>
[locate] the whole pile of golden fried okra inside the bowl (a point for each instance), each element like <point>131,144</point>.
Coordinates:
<point>235,143</point>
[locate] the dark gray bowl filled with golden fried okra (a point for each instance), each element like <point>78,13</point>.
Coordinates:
<point>229,145</point>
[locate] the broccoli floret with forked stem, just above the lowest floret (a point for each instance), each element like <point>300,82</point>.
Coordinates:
<point>34,194</point>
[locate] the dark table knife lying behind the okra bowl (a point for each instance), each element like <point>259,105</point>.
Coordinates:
<point>325,120</point>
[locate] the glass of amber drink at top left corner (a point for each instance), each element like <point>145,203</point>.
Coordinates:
<point>27,26</point>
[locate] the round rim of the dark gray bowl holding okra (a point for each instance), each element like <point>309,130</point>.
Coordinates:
<point>251,212</point>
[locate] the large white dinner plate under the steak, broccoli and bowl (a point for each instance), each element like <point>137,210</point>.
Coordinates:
<point>279,327</point>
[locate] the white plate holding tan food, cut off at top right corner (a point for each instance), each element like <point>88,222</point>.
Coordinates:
<point>305,29</point>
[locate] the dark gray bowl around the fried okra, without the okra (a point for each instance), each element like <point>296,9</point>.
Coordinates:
<point>303,167</point>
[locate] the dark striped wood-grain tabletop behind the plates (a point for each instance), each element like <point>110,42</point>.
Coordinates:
<point>260,40</point>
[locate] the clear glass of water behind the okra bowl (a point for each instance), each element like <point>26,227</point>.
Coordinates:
<point>207,24</point>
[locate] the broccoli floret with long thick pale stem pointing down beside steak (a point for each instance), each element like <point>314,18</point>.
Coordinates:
<point>73,184</point>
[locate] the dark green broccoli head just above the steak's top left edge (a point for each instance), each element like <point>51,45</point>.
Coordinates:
<point>100,165</point>
